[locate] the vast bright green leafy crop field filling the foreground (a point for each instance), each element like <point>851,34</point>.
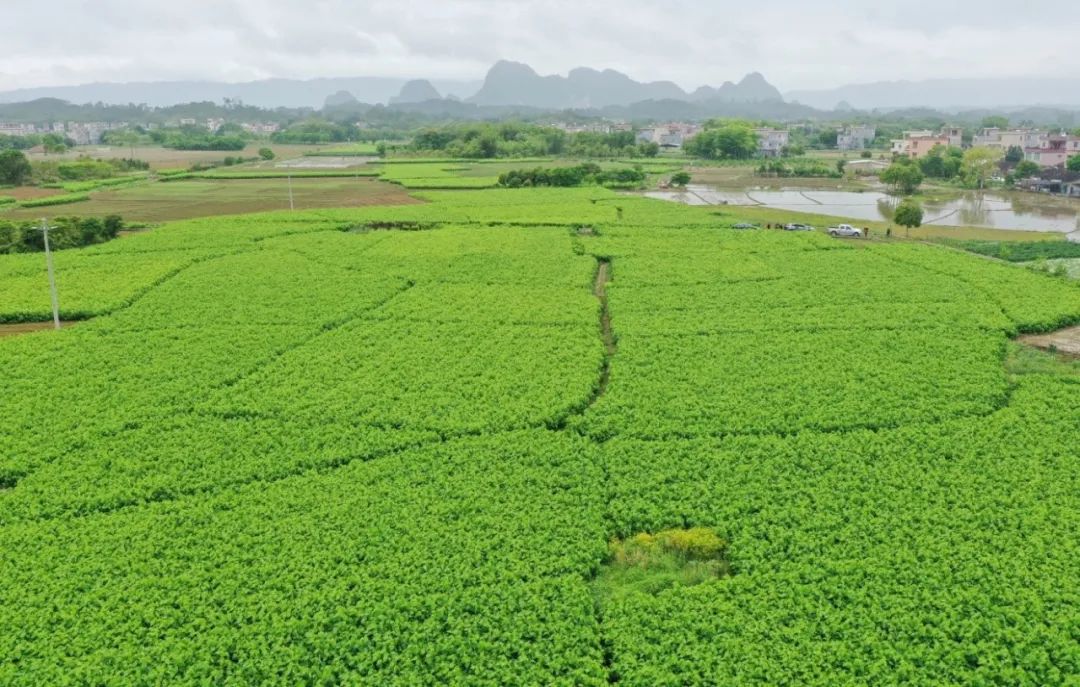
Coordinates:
<point>545,437</point>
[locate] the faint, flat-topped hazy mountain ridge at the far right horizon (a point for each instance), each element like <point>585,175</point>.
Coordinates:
<point>947,95</point>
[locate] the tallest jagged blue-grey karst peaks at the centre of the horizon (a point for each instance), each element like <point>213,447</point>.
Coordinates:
<point>516,84</point>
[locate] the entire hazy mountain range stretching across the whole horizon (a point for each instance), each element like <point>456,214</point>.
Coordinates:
<point>510,85</point>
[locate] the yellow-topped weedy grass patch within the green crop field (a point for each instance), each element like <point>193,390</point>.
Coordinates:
<point>653,563</point>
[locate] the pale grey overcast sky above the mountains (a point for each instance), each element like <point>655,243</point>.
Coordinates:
<point>795,44</point>
